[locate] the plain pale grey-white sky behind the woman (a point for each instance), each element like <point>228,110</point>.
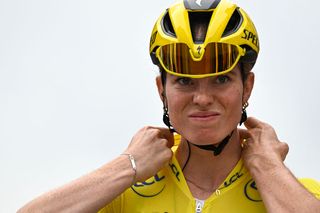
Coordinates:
<point>76,83</point>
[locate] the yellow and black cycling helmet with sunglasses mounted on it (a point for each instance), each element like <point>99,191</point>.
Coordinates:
<point>200,38</point>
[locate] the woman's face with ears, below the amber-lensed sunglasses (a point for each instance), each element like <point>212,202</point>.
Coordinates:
<point>205,110</point>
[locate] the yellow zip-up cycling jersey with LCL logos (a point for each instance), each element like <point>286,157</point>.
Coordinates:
<point>168,192</point>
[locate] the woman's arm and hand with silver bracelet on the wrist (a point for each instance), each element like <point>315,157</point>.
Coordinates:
<point>93,191</point>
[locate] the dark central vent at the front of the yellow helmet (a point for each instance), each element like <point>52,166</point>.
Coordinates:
<point>199,22</point>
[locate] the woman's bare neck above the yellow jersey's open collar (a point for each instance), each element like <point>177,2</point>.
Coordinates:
<point>206,171</point>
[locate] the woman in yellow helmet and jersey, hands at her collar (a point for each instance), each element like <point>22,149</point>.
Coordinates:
<point>205,51</point>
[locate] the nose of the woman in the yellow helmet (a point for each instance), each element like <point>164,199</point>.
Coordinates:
<point>203,96</point>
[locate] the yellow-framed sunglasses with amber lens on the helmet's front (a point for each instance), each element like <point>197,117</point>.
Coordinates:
<point>215,59</point>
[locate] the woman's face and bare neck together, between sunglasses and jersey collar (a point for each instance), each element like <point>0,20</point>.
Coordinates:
<point>204,111</point>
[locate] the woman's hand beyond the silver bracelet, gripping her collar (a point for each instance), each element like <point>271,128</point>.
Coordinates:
<point>151,149</point>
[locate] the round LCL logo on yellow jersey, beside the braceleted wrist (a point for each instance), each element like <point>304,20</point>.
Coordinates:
<point>143,189</point>
